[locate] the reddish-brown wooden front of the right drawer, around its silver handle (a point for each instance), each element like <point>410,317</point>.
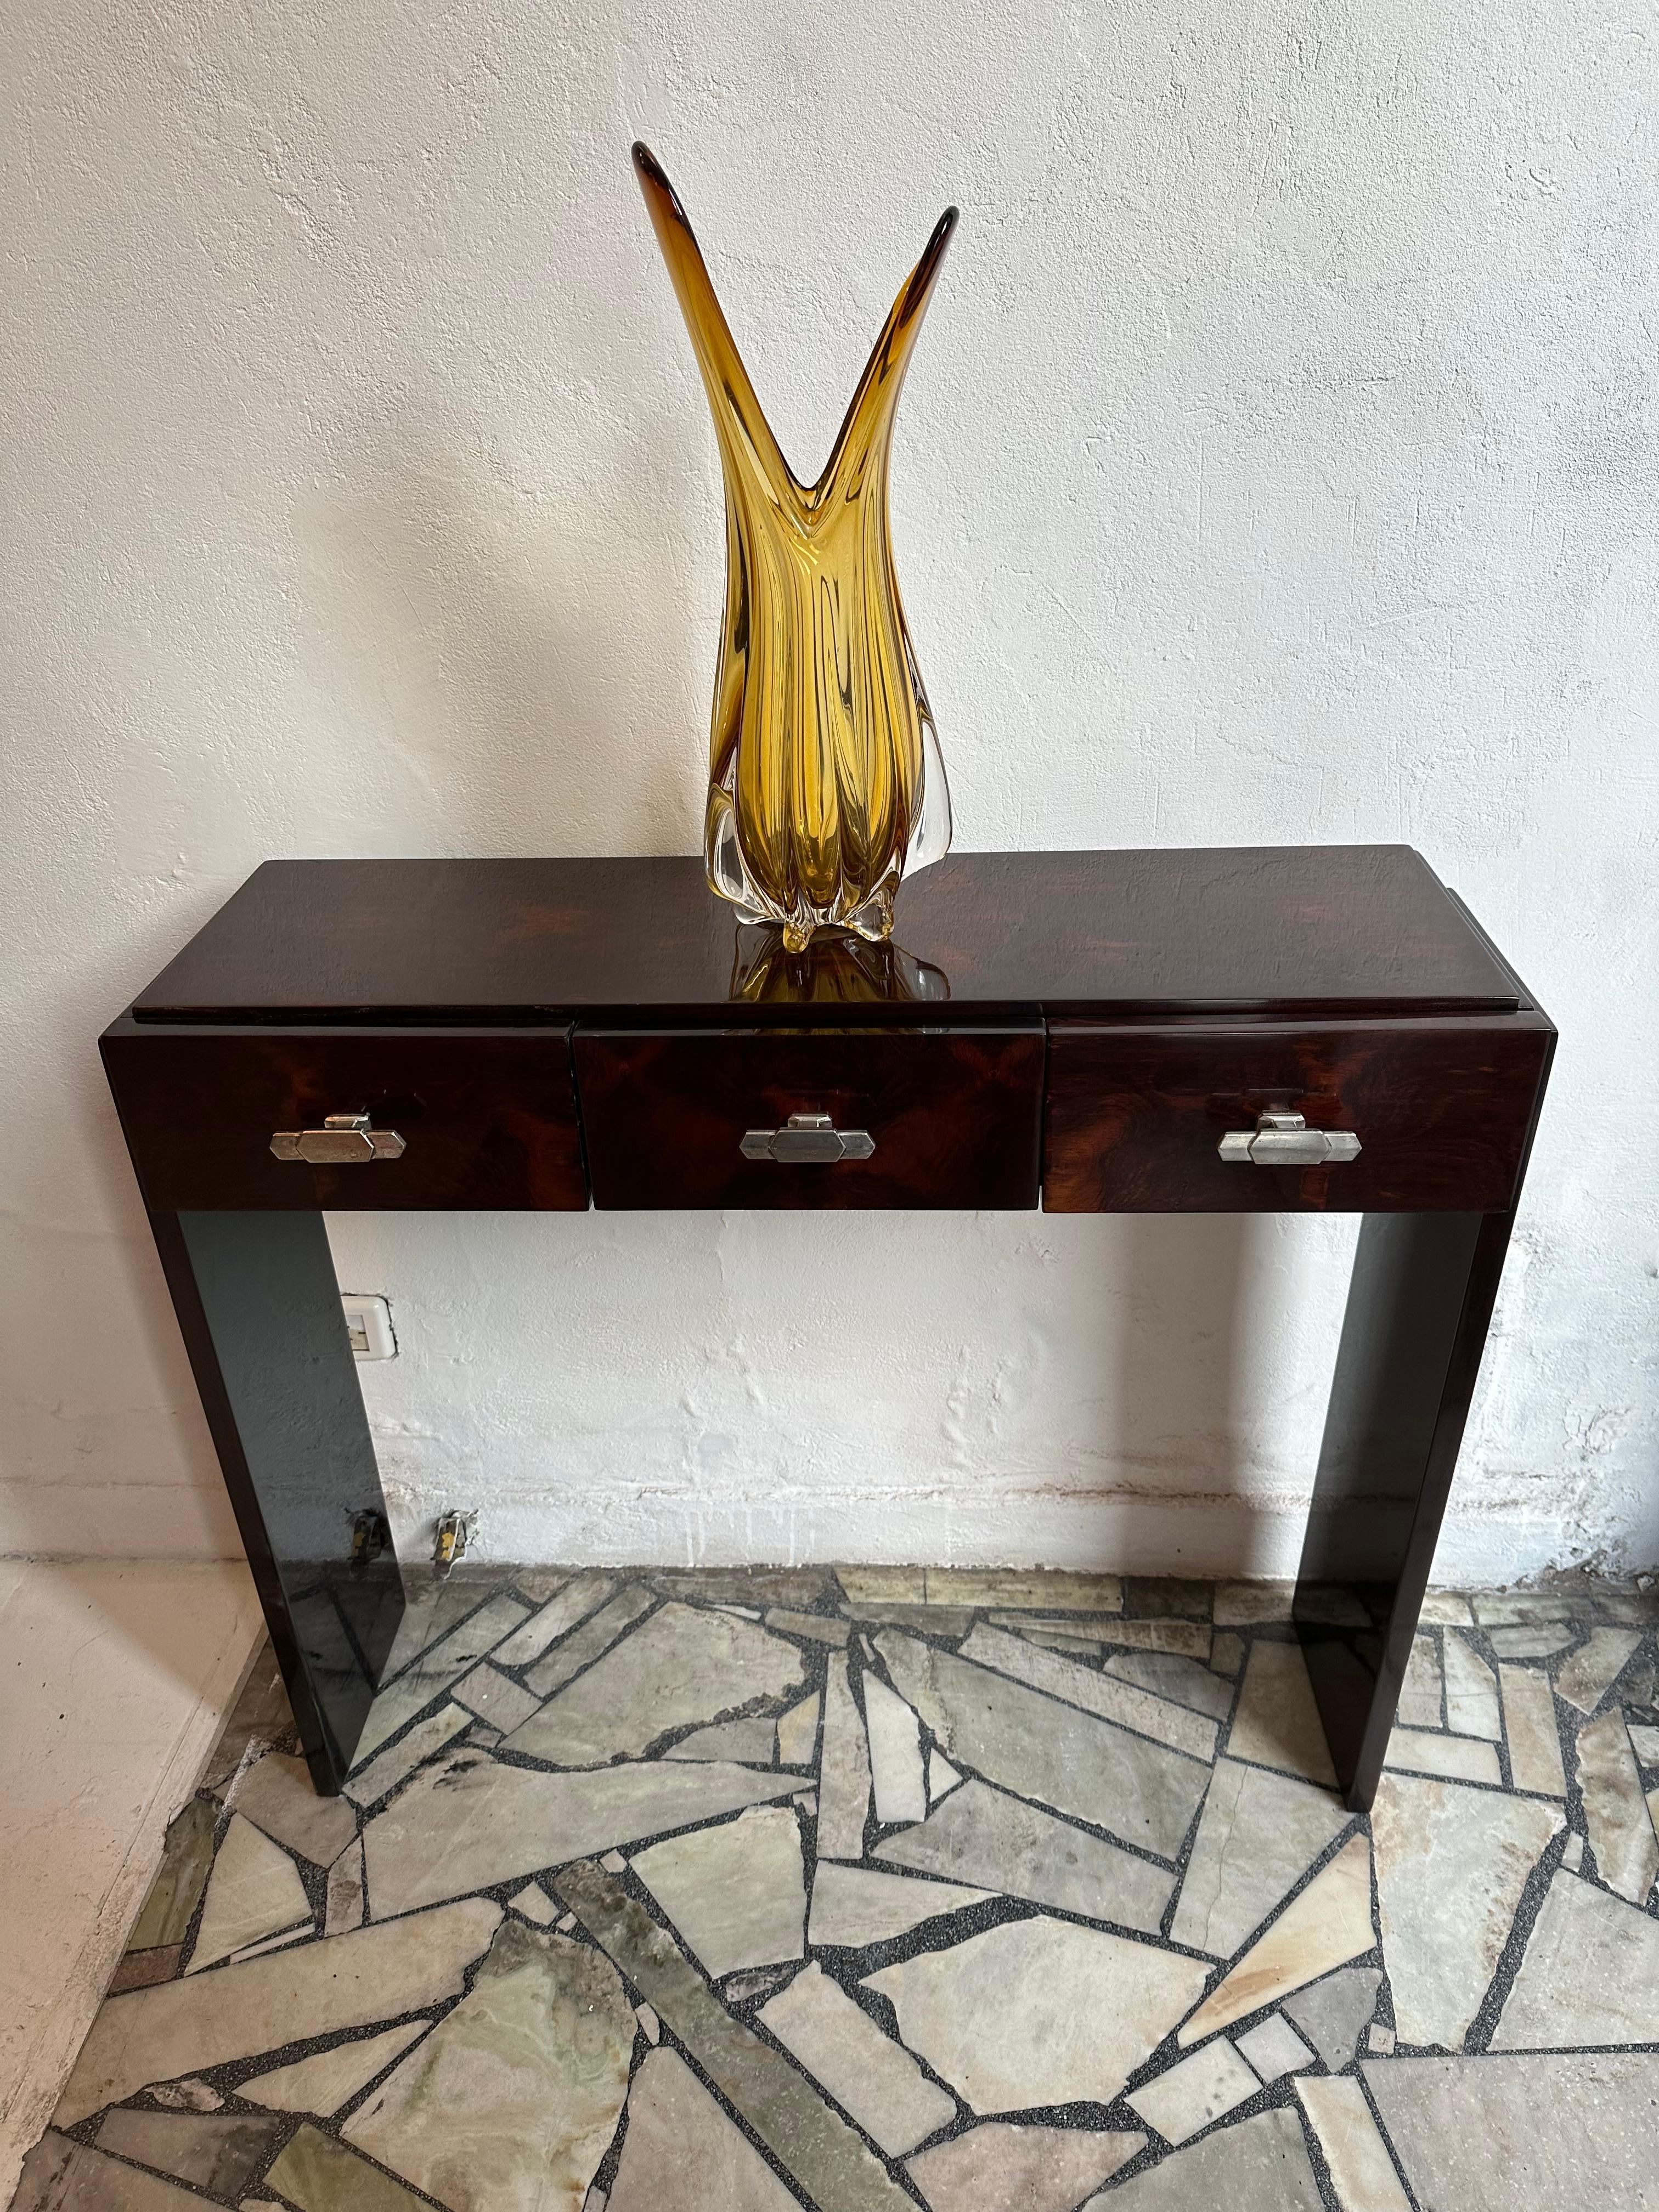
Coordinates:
<point>1443,1112</point>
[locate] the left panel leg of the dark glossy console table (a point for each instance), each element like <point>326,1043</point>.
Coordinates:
<point>262,1322</point>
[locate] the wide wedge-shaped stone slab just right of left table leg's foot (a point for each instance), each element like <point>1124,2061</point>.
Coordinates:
<point>470,1822</point>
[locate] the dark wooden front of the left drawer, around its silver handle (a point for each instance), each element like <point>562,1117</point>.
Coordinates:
<point>488,1118</point>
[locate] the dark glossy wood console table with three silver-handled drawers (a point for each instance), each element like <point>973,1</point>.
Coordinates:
<point>1306,1030</point>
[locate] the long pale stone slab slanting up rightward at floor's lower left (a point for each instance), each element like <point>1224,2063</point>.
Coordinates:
<point>238,2012</point>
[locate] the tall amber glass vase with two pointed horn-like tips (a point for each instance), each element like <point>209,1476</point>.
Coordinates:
<point>824,775</point>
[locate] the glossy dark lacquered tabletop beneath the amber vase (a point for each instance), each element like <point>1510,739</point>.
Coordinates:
<point>1315,930</point>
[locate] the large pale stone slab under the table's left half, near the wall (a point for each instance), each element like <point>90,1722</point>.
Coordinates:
<point>678,1667</point>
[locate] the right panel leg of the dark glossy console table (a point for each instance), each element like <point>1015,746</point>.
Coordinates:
<point>1412,1339</point>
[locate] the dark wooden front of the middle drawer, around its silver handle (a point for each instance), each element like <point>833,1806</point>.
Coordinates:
<point>952,1114</point>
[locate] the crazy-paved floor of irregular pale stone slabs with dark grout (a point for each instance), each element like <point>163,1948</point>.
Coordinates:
<point>966,1890</point>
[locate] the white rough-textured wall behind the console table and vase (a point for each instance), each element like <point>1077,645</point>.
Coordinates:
<point>1282,463</point>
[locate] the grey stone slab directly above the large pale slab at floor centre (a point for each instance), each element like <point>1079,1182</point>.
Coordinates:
<point>997,1841</point>
